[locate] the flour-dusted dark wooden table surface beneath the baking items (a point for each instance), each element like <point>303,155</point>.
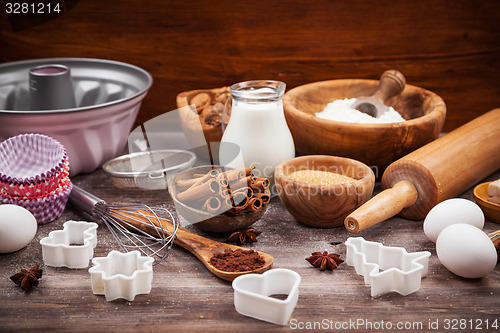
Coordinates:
<point>185,296</point>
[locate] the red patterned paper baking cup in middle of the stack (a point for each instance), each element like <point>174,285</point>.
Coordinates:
<point>35,190</point>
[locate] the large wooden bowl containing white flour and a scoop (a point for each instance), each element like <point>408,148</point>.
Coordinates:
<point>376,145</point>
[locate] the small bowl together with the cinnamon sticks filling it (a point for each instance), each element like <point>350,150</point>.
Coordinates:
<point>203,205</point>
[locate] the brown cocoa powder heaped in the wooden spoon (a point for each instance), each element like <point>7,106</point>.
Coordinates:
<point>237,260</point>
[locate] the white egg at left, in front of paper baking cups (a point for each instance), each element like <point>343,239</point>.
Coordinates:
<point>17,228</point>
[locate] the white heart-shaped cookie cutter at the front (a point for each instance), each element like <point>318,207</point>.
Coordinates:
<point>252,295</point>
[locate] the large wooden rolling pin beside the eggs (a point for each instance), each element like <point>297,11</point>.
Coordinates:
<point>440,170</point>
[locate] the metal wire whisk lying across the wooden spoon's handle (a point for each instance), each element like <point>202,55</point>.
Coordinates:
<point>150,230</point>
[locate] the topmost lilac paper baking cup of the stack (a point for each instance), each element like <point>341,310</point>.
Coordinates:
<point>30,158</point>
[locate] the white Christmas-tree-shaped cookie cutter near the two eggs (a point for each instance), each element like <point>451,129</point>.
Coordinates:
<point>387,268</point>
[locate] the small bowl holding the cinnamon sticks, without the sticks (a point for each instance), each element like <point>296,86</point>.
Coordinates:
<point>205,221</point>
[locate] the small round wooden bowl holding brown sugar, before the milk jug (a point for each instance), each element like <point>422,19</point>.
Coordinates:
<point>323,206</point>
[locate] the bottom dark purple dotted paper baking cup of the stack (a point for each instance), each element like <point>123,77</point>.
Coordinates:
<point>45,209</point>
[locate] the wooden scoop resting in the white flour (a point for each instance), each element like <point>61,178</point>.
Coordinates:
<point>392,83</point>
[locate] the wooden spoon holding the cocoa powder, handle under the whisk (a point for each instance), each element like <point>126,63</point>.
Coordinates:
<point>203,248</point>
